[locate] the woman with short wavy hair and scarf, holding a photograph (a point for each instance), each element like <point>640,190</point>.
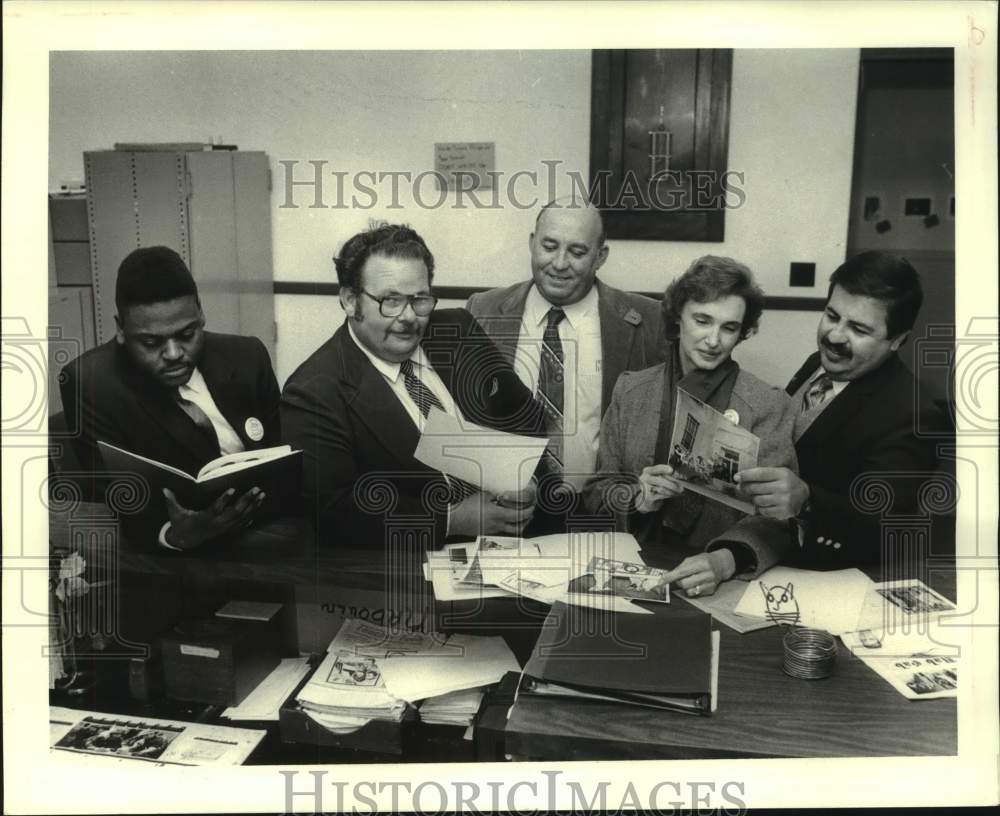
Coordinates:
<point>708,311</point>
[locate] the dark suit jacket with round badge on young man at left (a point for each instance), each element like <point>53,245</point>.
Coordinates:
<point>106,398</point>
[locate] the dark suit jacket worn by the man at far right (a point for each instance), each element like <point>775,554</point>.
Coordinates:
<point>862,459</point>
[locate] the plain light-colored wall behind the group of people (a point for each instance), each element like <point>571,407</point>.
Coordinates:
<point>791,133</point>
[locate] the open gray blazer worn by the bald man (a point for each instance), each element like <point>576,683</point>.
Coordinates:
<point>631,328</point>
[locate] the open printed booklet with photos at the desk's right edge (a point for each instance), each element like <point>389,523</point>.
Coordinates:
<point>901,638</point>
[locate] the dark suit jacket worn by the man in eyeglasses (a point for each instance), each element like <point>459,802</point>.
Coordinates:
<point>359,474</point>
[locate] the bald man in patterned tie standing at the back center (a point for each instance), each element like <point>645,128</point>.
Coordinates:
<point>569,337</point>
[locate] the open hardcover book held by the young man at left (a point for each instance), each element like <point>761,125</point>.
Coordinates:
<point>275,470</point>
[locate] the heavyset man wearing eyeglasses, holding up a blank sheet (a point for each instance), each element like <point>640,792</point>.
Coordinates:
<point>358,405</point>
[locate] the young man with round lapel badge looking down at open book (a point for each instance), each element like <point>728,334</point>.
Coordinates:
<point>169,391</point>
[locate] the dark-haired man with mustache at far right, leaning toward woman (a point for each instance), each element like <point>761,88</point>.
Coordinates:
<point>859,410</point>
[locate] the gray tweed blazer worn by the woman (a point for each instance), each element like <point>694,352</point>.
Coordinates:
<point>628,444</point>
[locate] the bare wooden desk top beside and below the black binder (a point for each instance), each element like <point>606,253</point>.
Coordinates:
<point>762,712</point>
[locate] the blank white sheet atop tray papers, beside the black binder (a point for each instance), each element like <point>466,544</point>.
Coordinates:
<point>474,661</point>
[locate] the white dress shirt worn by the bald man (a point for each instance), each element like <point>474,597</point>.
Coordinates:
<point>580,334</point>
